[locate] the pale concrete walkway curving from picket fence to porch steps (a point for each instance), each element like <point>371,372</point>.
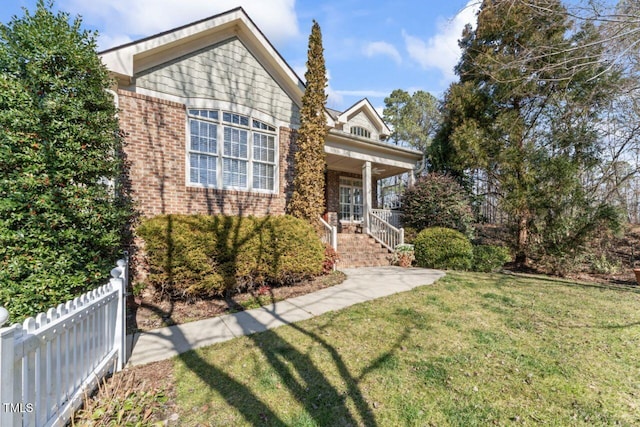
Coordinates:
<point>362,284</point>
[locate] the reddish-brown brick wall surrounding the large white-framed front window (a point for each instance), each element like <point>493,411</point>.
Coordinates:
<point>155,151</point>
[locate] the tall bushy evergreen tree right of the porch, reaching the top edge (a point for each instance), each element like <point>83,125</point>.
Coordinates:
<point>523,115</point>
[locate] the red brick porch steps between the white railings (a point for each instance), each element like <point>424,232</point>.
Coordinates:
<point>361,250</point>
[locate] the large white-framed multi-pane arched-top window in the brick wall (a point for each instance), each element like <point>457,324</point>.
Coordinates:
<point>233,151</point>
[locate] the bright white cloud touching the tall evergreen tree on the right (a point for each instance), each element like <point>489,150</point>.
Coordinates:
<point>441,51</point>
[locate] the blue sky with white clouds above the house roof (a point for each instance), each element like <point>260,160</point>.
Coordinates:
<point>371,47</point>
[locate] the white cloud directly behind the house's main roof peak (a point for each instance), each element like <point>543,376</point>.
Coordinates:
<point>126,19</point>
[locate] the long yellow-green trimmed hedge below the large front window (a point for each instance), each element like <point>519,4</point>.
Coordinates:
<point>199,256</point>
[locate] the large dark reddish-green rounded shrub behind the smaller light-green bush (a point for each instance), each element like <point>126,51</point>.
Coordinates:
<point>437,200</point>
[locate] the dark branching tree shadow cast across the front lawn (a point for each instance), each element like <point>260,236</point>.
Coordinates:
<point>326,399</point>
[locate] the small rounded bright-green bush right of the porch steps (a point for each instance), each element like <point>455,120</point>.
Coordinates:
<point>443,248</point>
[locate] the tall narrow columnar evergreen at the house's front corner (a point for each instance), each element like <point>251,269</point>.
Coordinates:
<point>307,201</point>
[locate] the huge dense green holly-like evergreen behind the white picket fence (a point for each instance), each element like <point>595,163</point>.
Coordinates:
<point>61,214</point>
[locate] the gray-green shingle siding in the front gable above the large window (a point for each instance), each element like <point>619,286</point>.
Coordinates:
<point>226,71</point>
